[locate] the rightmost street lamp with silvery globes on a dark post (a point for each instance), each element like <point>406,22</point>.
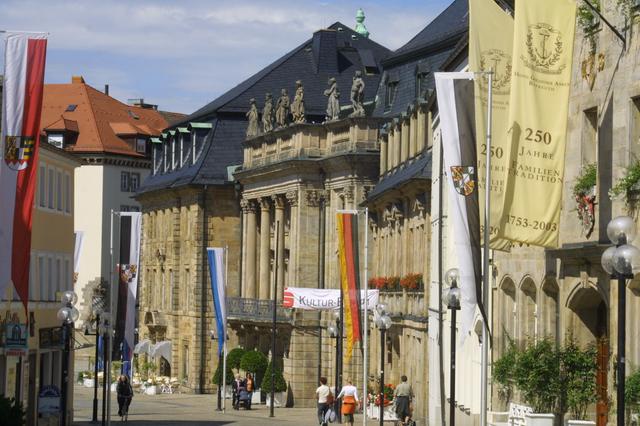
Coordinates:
<point>621,262</point>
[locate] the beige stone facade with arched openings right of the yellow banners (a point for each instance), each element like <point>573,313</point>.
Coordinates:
<point>559,292</point>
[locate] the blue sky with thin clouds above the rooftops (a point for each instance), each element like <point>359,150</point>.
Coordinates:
<point>183,54</point>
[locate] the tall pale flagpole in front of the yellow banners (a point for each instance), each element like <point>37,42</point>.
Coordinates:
<point>485,269</point>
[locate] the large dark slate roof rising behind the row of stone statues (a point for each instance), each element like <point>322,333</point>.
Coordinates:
<point>337,51</point>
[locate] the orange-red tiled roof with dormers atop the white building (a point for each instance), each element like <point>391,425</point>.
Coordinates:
<point>99,119</point>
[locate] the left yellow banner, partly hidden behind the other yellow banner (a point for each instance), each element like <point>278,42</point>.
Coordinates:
<point>490,46</point>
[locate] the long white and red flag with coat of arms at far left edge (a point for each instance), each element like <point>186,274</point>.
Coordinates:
<point>25,55</point>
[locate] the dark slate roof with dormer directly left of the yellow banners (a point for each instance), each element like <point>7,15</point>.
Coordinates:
<point>427,51</point>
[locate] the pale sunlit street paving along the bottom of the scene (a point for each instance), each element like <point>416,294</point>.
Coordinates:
<point>189,409</point>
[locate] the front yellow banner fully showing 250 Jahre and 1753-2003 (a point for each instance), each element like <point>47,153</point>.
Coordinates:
<point>542,57</point>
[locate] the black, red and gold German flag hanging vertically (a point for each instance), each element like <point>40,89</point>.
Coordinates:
<point>349,277</point>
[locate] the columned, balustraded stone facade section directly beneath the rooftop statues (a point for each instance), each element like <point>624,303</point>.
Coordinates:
<point>298,177</point>
